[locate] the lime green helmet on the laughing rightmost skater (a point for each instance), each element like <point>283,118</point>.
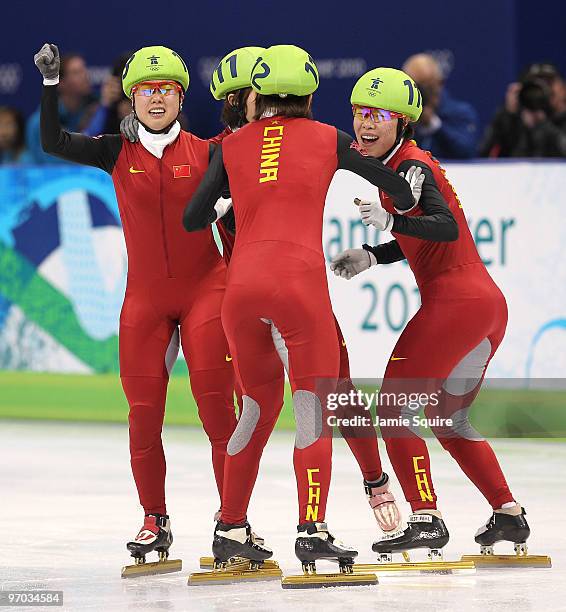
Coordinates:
<point>389,89</point>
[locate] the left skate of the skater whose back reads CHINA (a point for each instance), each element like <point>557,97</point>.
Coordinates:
<point>239,556</point>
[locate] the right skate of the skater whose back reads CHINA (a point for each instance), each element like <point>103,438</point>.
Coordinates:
<point>315,543</point>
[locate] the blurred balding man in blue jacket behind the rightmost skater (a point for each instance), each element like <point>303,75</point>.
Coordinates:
<point>447,127</point>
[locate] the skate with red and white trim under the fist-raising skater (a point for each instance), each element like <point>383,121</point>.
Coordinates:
<point>155,535</point>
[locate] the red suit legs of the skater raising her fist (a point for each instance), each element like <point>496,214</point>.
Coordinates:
<point>148,348</point>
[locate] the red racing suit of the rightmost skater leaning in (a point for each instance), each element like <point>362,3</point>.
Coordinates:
<point>446,347</point>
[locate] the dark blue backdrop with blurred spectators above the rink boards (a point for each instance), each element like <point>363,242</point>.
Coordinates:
<point>492,75</point>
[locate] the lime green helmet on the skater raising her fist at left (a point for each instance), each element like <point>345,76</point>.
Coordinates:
<point>154,64</point>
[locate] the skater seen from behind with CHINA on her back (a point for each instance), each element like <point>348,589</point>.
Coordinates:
<point>277,273</point>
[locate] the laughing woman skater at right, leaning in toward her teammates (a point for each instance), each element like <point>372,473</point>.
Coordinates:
<point>449,343</point>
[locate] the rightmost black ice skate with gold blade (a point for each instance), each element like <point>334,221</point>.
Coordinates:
<point>506,525</point>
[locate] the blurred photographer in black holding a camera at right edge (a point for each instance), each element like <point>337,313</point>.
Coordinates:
<point>533,121</point>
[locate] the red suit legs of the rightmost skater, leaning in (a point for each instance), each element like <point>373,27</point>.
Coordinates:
<point>444,334</point>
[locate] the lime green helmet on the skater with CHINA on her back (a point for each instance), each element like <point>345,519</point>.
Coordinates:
<point>285,70</point>
